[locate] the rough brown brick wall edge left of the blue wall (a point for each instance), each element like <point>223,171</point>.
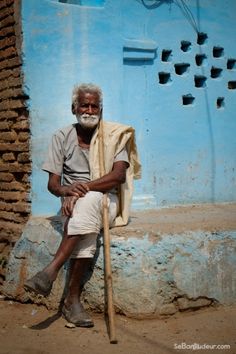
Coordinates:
<point>15,166</point>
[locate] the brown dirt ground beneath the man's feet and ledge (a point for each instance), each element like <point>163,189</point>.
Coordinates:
<point>32,329</point>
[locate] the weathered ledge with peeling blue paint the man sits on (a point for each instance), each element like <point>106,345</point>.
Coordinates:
<point>164,261</point>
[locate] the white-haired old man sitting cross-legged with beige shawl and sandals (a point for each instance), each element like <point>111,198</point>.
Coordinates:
<point>74,175</point>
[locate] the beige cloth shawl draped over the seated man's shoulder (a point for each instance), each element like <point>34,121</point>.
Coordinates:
<point>116,137</point>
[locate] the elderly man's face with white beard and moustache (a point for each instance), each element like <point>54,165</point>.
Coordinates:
<point>88,112</point>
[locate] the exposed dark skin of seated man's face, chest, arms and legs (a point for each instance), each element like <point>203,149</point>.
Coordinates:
<point>88,103</point>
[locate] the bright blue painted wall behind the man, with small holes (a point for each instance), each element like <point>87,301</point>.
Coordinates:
<point>130,48</point>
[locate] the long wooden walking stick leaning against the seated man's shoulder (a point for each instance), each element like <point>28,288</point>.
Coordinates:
<point>106,245</point>
